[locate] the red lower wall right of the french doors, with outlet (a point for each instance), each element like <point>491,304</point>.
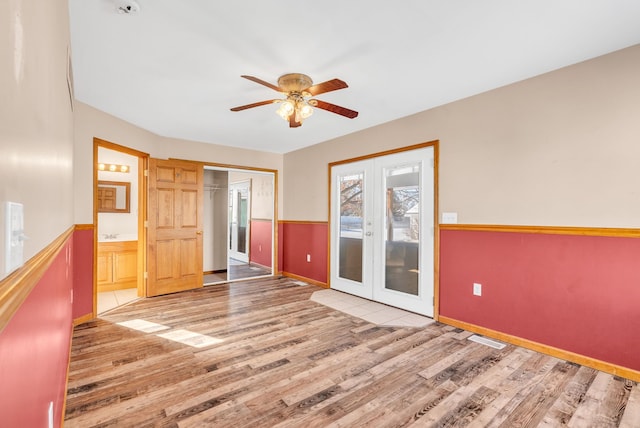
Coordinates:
<point>577,293</point>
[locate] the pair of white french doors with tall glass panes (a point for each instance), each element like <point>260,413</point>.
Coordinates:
<point>382,225</point>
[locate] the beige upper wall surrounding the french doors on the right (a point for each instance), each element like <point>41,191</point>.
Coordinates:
<point>560,149</point>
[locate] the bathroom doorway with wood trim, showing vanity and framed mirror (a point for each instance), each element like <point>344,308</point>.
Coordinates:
<point>119,235</point>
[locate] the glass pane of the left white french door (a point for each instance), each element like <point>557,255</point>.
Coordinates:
<point>351,227</point>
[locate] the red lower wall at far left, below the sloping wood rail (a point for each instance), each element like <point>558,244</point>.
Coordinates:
<point>34,348</point>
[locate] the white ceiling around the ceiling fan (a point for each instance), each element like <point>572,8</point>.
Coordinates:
<point>174,67</point>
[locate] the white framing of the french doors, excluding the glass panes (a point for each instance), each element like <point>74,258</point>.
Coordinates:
<point>372,285</point>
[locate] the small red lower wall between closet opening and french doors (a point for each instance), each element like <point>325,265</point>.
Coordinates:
<point>296,240</point>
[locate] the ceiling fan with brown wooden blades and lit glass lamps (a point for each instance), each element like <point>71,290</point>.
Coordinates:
<point>298,104</point>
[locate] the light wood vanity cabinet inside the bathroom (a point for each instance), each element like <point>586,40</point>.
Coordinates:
<point>117,265</point>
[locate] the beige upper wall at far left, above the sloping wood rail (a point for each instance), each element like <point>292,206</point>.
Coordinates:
<point>36,122</point>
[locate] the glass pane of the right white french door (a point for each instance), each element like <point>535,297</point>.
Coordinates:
<point>402,221</point>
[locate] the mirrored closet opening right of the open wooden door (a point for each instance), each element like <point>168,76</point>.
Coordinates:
<point>238,227</point>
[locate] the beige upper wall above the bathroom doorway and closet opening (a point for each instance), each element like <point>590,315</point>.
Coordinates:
<point>90,123</point>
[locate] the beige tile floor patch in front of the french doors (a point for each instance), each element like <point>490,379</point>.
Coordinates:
<point>368,310</point>
